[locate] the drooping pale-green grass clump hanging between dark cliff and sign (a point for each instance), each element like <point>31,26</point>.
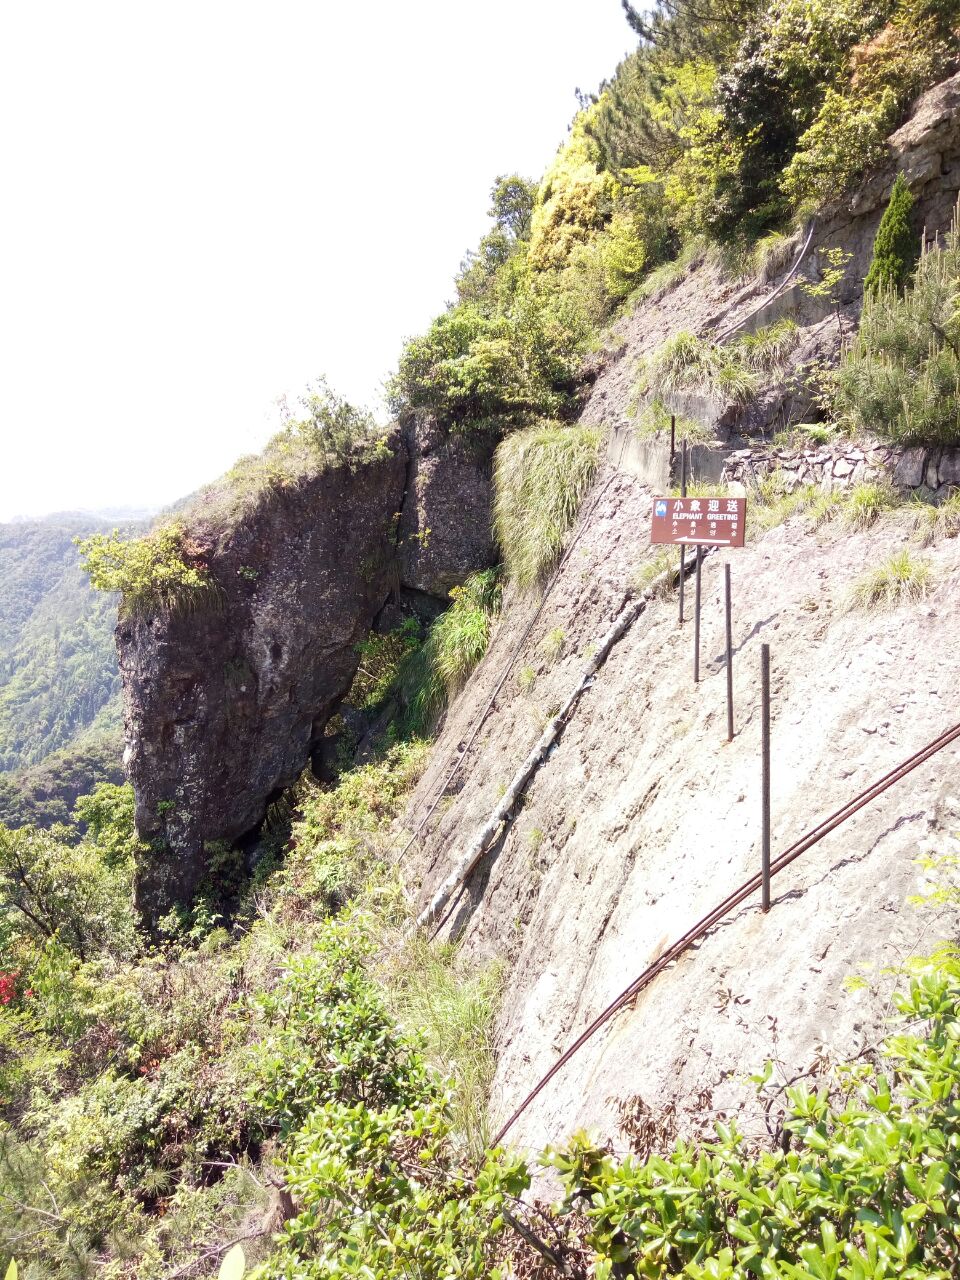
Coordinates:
<point>541,478</point>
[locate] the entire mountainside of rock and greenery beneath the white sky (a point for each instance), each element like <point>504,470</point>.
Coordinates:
<point>413,806</point>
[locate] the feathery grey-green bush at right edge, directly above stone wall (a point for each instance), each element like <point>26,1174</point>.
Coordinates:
<point>902,377</point>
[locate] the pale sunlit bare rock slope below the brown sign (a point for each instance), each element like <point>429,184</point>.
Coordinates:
<point>643,819</point>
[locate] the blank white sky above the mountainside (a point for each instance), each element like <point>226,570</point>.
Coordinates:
<point>209,203</point>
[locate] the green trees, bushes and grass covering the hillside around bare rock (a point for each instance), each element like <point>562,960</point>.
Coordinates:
<point>285,1068</point>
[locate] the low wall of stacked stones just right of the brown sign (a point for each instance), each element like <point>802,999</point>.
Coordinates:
<point>930,473</point>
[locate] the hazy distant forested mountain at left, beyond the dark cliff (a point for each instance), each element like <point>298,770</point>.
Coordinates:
<point>60,684</point>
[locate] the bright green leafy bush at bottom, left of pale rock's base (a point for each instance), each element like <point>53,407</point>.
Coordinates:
<point>372,1163</point>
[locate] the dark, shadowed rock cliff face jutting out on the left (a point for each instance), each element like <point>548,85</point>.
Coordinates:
<point>225,706</point>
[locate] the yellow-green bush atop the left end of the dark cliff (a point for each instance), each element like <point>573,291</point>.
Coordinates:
<point>156,574</point>
